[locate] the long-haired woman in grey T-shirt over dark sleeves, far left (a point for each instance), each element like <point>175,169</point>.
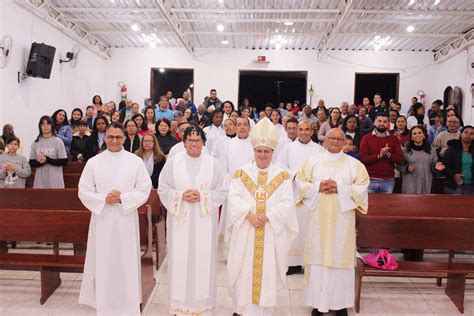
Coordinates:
<point>48,156</point>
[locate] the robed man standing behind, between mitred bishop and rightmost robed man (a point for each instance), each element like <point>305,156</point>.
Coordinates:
<point>292,158</point>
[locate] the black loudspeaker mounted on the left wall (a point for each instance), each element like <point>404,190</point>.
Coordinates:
<point>40,61</point>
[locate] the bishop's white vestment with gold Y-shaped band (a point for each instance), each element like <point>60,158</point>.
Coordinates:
<point>258,257</point>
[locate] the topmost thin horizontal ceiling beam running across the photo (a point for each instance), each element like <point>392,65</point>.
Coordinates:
<point>214,10</point>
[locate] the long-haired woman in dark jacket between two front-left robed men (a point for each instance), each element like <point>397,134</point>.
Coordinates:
<point>152,156</point>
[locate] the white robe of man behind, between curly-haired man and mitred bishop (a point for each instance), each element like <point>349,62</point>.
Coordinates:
<point>236,153</point>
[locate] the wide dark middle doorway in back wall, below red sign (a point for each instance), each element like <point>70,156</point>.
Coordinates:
<point>261,87</point>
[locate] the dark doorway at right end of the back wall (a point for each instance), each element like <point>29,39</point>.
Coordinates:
<point>367,84</point>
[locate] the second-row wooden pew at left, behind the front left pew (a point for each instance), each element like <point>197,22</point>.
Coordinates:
<point>67,199</point>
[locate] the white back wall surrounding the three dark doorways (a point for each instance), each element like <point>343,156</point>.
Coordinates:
<point>332,78</point>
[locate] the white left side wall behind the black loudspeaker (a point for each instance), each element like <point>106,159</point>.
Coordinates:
<point>23,104</point>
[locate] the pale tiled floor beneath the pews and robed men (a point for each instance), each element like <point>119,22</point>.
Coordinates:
<point>19,295</point>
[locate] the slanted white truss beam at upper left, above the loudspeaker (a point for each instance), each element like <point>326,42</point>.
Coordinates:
<point>50,14</point>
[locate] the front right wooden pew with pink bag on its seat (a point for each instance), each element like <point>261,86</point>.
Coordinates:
<point>443,222</point>
